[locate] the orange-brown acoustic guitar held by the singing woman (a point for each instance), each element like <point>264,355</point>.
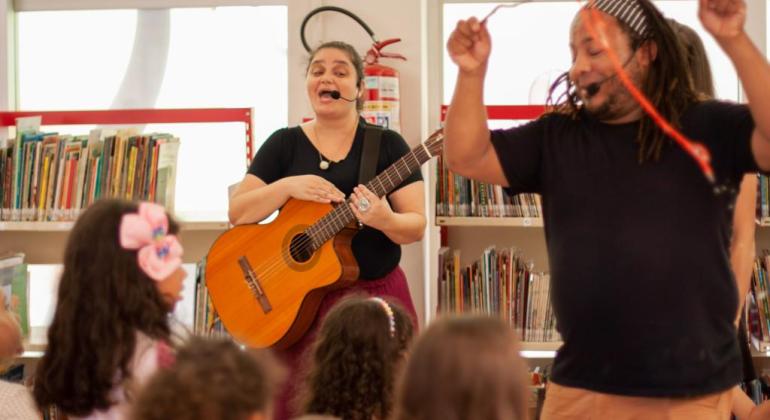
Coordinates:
<point>267,280</point>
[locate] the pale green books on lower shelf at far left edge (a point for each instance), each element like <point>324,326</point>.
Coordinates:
<point>14,283</point>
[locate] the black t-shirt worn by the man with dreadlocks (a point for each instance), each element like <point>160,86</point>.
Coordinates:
<point>639,253</point>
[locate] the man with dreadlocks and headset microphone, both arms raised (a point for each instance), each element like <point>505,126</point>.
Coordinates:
<point>637,237</point>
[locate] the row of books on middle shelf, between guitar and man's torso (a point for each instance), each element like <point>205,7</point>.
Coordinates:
<point>499,283</point>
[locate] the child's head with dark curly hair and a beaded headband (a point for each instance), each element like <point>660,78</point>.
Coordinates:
<point>357,352</point>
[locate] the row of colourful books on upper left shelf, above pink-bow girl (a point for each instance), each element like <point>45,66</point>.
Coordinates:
<point>52,176</point>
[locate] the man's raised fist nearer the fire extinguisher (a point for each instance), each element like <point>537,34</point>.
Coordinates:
<point>469,46</point>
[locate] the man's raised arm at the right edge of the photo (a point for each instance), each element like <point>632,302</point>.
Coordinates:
<point>725,20</point>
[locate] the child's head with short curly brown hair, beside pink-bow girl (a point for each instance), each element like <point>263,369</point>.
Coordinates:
<point>212,379</point>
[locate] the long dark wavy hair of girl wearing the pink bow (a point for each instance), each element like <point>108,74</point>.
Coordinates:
<point>104,299</point>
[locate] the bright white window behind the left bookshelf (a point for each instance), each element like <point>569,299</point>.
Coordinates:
<point>165,58</point>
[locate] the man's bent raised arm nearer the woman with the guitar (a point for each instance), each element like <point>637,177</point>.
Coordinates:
<point>467,147</point>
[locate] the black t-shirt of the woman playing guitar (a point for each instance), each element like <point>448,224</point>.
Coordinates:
<point>288,152</point>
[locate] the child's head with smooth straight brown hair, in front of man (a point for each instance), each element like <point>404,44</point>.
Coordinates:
<point>463,368</point>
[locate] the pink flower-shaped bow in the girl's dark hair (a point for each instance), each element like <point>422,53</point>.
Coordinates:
<point>159,254</point>
